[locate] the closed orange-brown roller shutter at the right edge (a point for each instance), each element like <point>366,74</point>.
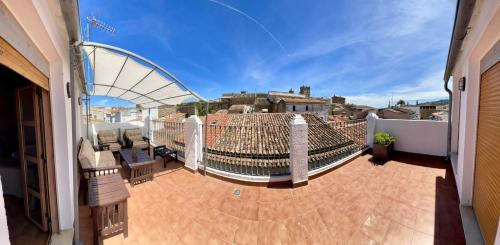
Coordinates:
<point>486,200</point>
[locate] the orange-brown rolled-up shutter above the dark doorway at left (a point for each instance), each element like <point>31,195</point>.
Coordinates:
<point>14,60</point>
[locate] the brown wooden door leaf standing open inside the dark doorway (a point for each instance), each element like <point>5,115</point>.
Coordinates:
<point>32,155</point>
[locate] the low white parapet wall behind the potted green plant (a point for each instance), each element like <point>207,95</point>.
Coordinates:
<point>416,136</point>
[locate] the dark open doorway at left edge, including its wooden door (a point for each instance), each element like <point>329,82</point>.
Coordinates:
<point>23,162</point>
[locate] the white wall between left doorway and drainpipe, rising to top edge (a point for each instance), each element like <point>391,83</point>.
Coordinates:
<point>43,24</point>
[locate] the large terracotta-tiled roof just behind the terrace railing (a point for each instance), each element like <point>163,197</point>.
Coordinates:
<point>262,140</point>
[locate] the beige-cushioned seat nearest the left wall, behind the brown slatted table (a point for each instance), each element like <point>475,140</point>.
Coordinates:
<point>94,163</point>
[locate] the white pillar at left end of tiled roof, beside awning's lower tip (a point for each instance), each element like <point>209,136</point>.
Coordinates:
<point>193,142</point>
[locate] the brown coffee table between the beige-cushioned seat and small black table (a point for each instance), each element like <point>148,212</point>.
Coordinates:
<point>141,169</point>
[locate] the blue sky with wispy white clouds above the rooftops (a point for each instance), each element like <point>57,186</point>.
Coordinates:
<point>365,50</point>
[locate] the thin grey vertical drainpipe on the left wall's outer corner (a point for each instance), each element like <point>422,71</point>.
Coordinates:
<point>74,111</point>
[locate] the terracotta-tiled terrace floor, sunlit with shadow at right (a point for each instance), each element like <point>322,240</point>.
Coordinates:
<point>411,200</point>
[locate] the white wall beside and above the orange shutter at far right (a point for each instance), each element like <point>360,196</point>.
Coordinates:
<point>483,34</point>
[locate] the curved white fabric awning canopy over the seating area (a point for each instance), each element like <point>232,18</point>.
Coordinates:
<point>122,74</point>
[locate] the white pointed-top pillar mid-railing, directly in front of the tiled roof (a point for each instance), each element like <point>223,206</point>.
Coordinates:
<point>298,150</point>
